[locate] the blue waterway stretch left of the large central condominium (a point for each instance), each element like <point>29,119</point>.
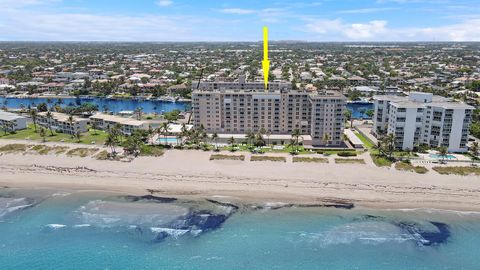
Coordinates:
<point>113,105</point>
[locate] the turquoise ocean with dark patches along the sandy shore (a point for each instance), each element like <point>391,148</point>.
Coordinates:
<point>43,230</point>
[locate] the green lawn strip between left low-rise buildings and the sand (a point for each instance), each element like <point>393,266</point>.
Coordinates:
<point>97,137</point>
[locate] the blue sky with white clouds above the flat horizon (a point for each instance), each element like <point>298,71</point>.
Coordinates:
<point>239,20</point>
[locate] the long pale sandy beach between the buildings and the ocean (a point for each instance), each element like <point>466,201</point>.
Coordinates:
<point>192,174</point>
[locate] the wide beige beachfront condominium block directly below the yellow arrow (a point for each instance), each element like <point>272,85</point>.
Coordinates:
<point>320,115</point>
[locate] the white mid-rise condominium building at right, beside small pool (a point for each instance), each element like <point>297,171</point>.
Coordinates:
<point>422,118</point>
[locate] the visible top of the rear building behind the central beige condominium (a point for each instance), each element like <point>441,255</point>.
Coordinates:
<point>241,84</point>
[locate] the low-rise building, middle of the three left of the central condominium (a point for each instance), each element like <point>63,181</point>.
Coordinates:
<point>62,123</point>
